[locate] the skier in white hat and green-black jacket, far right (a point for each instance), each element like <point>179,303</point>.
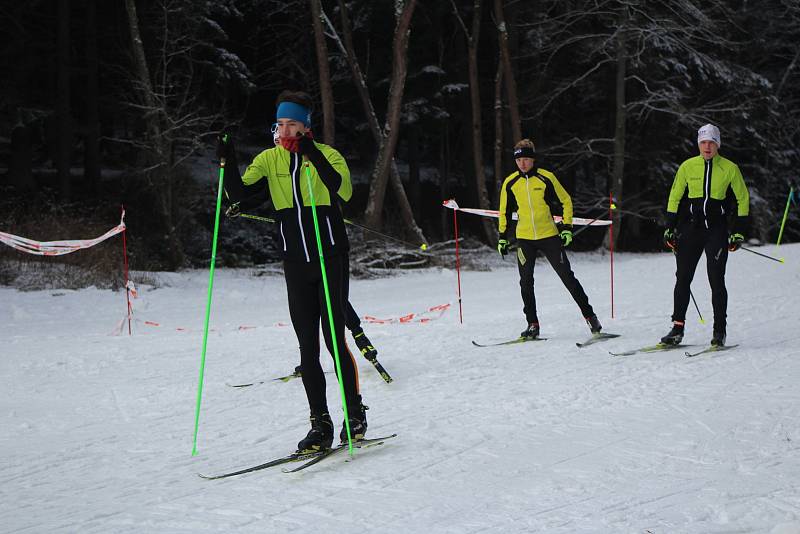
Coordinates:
<point>703,181</point>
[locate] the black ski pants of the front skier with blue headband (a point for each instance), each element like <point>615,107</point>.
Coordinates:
<point>307,308</point>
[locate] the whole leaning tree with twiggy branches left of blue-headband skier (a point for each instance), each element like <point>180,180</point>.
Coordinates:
<point>174,102</point>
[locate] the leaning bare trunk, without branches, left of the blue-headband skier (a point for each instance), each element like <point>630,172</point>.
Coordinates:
<point>160,156</point>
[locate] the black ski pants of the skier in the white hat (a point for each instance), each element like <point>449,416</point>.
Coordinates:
<point>693,240</point>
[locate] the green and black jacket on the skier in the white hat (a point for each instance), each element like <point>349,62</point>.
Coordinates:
<point>705,183</point>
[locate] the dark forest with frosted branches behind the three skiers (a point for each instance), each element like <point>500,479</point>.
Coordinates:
<point>105,104</point>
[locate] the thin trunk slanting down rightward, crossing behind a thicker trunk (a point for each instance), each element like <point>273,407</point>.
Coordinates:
<point>348,50</point>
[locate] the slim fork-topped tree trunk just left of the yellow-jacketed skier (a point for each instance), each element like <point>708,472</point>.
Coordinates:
<point>473,37</point>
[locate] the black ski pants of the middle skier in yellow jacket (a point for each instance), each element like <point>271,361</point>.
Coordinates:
<point>557,256</point>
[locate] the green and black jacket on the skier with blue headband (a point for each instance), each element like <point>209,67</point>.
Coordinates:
<point>287,186</point>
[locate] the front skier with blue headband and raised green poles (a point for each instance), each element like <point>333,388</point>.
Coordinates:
<point>283,171</point>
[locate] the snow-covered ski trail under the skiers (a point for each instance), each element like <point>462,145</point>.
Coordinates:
<point>533,437</point>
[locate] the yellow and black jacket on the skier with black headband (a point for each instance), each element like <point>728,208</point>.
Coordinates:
<point>534,196</point>
